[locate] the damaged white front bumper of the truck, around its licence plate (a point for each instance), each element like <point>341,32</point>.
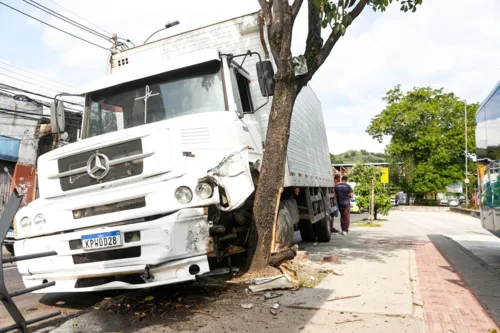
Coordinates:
<point>165,250</point>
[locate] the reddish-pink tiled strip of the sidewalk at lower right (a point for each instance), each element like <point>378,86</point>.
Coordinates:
<point>449,304</point>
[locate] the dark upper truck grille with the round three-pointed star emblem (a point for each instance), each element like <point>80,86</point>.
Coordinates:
<point>123,151</point>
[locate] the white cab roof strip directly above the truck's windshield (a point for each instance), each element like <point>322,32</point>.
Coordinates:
<point>137,73</point>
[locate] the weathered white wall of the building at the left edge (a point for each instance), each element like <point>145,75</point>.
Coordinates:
<point>21,128</point>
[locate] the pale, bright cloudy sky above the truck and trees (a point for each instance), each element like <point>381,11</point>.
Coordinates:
<point>446,43</point>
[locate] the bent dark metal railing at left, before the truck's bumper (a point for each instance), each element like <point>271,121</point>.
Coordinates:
<point>21,324</point>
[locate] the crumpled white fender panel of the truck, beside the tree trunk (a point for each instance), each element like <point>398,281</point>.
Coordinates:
<point>233,175</point>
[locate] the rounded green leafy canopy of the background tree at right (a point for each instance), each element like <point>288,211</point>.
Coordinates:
<point>427,136</point>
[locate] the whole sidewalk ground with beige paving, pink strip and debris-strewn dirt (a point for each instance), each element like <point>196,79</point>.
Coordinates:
<point>392,278</point>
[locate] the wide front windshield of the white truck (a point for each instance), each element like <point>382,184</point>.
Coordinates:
<point>154,99</point>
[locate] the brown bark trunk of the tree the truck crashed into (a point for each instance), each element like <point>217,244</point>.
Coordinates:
<point>272,170</point>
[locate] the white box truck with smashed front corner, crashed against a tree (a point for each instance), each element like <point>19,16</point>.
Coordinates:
<point>159,189</point>
